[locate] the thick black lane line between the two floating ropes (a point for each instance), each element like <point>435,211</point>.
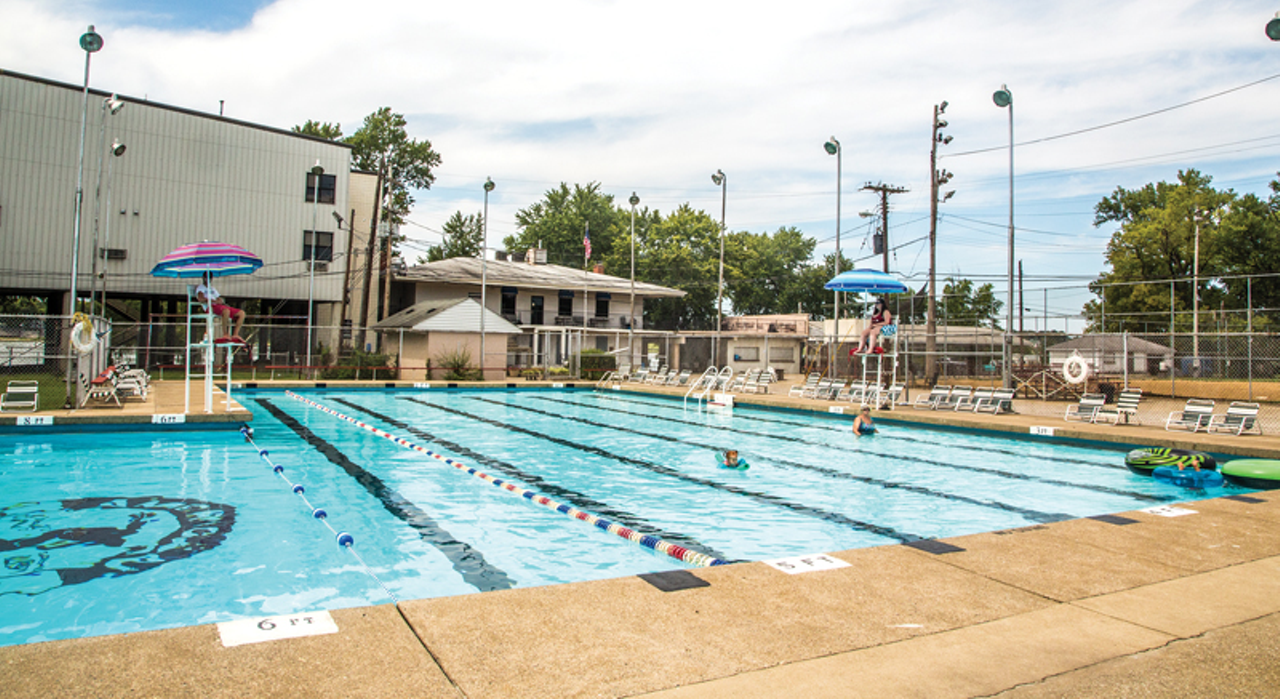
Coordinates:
<point>468,561</point>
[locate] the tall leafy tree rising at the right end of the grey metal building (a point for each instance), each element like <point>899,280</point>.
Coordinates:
<point>382,147</point>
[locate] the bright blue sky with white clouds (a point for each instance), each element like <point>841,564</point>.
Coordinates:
<point>655,98</point>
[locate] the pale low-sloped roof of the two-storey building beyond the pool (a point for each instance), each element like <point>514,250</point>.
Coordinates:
<point>505,273</point>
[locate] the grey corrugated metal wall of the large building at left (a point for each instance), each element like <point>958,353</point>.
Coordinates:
<point>185,177</point>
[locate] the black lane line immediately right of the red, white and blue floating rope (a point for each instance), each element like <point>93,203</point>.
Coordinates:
<point>547,488</point>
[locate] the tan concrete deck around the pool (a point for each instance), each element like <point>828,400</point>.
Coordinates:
<point>1142,605</point>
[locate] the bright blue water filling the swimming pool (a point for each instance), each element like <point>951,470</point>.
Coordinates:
<point>108,533</point>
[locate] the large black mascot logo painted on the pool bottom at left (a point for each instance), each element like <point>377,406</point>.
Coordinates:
<point>47,545</point>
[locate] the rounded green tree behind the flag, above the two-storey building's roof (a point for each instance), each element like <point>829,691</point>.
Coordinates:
<point>560,221</point>
